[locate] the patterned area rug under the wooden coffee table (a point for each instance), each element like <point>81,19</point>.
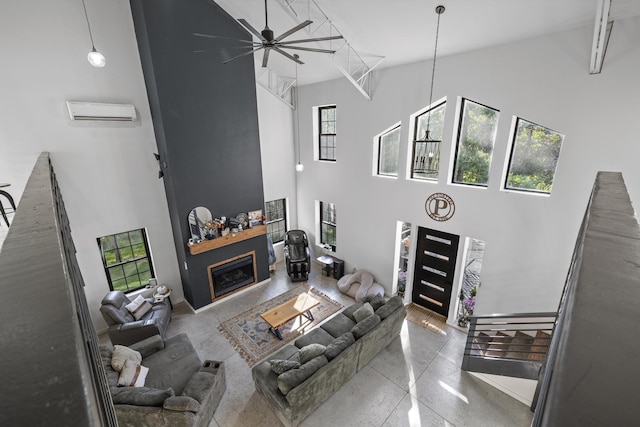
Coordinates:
<point>250,335</point>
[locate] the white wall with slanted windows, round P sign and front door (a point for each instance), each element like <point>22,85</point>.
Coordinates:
<point>529,239</point>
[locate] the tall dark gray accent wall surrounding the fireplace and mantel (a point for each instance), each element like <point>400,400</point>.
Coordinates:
<point>206,124</point>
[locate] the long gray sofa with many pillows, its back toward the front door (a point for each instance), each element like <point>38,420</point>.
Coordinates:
<point>349,346</point>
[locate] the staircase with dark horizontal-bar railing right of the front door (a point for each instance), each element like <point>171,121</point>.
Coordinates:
<point>514,345</point>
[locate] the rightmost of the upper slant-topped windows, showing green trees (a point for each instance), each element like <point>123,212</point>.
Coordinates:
<point>534,156</point>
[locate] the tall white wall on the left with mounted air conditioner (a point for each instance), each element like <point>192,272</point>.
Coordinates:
<point>106,171</point>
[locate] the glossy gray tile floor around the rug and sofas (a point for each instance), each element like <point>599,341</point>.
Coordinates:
<point>416,381</point>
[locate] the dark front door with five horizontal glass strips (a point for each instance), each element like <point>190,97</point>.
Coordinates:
<point>436,254</point>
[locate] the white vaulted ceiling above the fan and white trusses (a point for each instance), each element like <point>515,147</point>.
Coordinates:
<point>403,31</point>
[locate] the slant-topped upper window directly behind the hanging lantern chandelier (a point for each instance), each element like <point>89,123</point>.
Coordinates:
<point>426,146</point>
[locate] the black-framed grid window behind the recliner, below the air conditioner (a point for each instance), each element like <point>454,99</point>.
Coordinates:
<point>126,259</point>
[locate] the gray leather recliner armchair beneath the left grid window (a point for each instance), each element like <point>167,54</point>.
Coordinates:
<point>124,329</point>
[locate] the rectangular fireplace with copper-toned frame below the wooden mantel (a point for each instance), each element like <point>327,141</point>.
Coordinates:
<point>232,274</point>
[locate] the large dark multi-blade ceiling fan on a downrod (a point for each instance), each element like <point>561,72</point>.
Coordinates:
<point>268,42</point>
